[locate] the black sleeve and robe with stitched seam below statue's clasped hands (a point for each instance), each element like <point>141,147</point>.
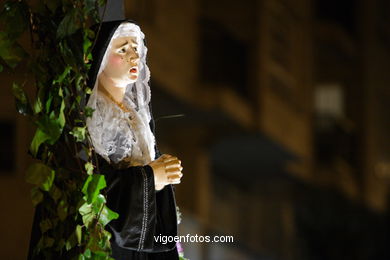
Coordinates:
<point>143,212</point>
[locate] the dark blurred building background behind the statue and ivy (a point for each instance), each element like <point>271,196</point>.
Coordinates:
<point>280,124</point>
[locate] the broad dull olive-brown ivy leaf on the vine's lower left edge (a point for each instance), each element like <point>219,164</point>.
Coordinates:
<point>40,175</point>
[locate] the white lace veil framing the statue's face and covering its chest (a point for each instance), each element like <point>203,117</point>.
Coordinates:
<point>120,136</point>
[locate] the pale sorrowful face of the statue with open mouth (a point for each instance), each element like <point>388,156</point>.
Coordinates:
<point>123,59</point>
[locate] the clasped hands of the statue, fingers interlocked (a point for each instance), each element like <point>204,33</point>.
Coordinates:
<point>167,170</point>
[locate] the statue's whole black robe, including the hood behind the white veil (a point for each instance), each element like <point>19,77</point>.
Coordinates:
<point>143,212</point>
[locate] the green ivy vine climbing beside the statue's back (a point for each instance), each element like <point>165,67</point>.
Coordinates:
<point>67,187</point>
